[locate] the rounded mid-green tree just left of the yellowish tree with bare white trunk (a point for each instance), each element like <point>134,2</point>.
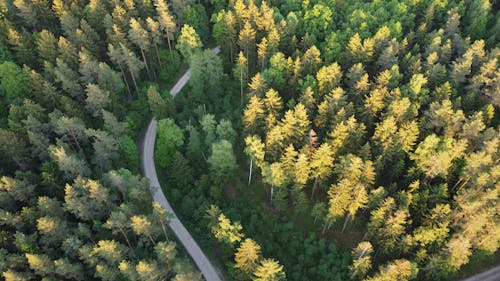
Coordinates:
<point>222,161</point>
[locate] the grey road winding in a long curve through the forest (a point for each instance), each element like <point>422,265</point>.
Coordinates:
<point>149,169</point>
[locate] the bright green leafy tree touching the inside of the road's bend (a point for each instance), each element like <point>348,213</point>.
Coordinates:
<point>170,136</point>
